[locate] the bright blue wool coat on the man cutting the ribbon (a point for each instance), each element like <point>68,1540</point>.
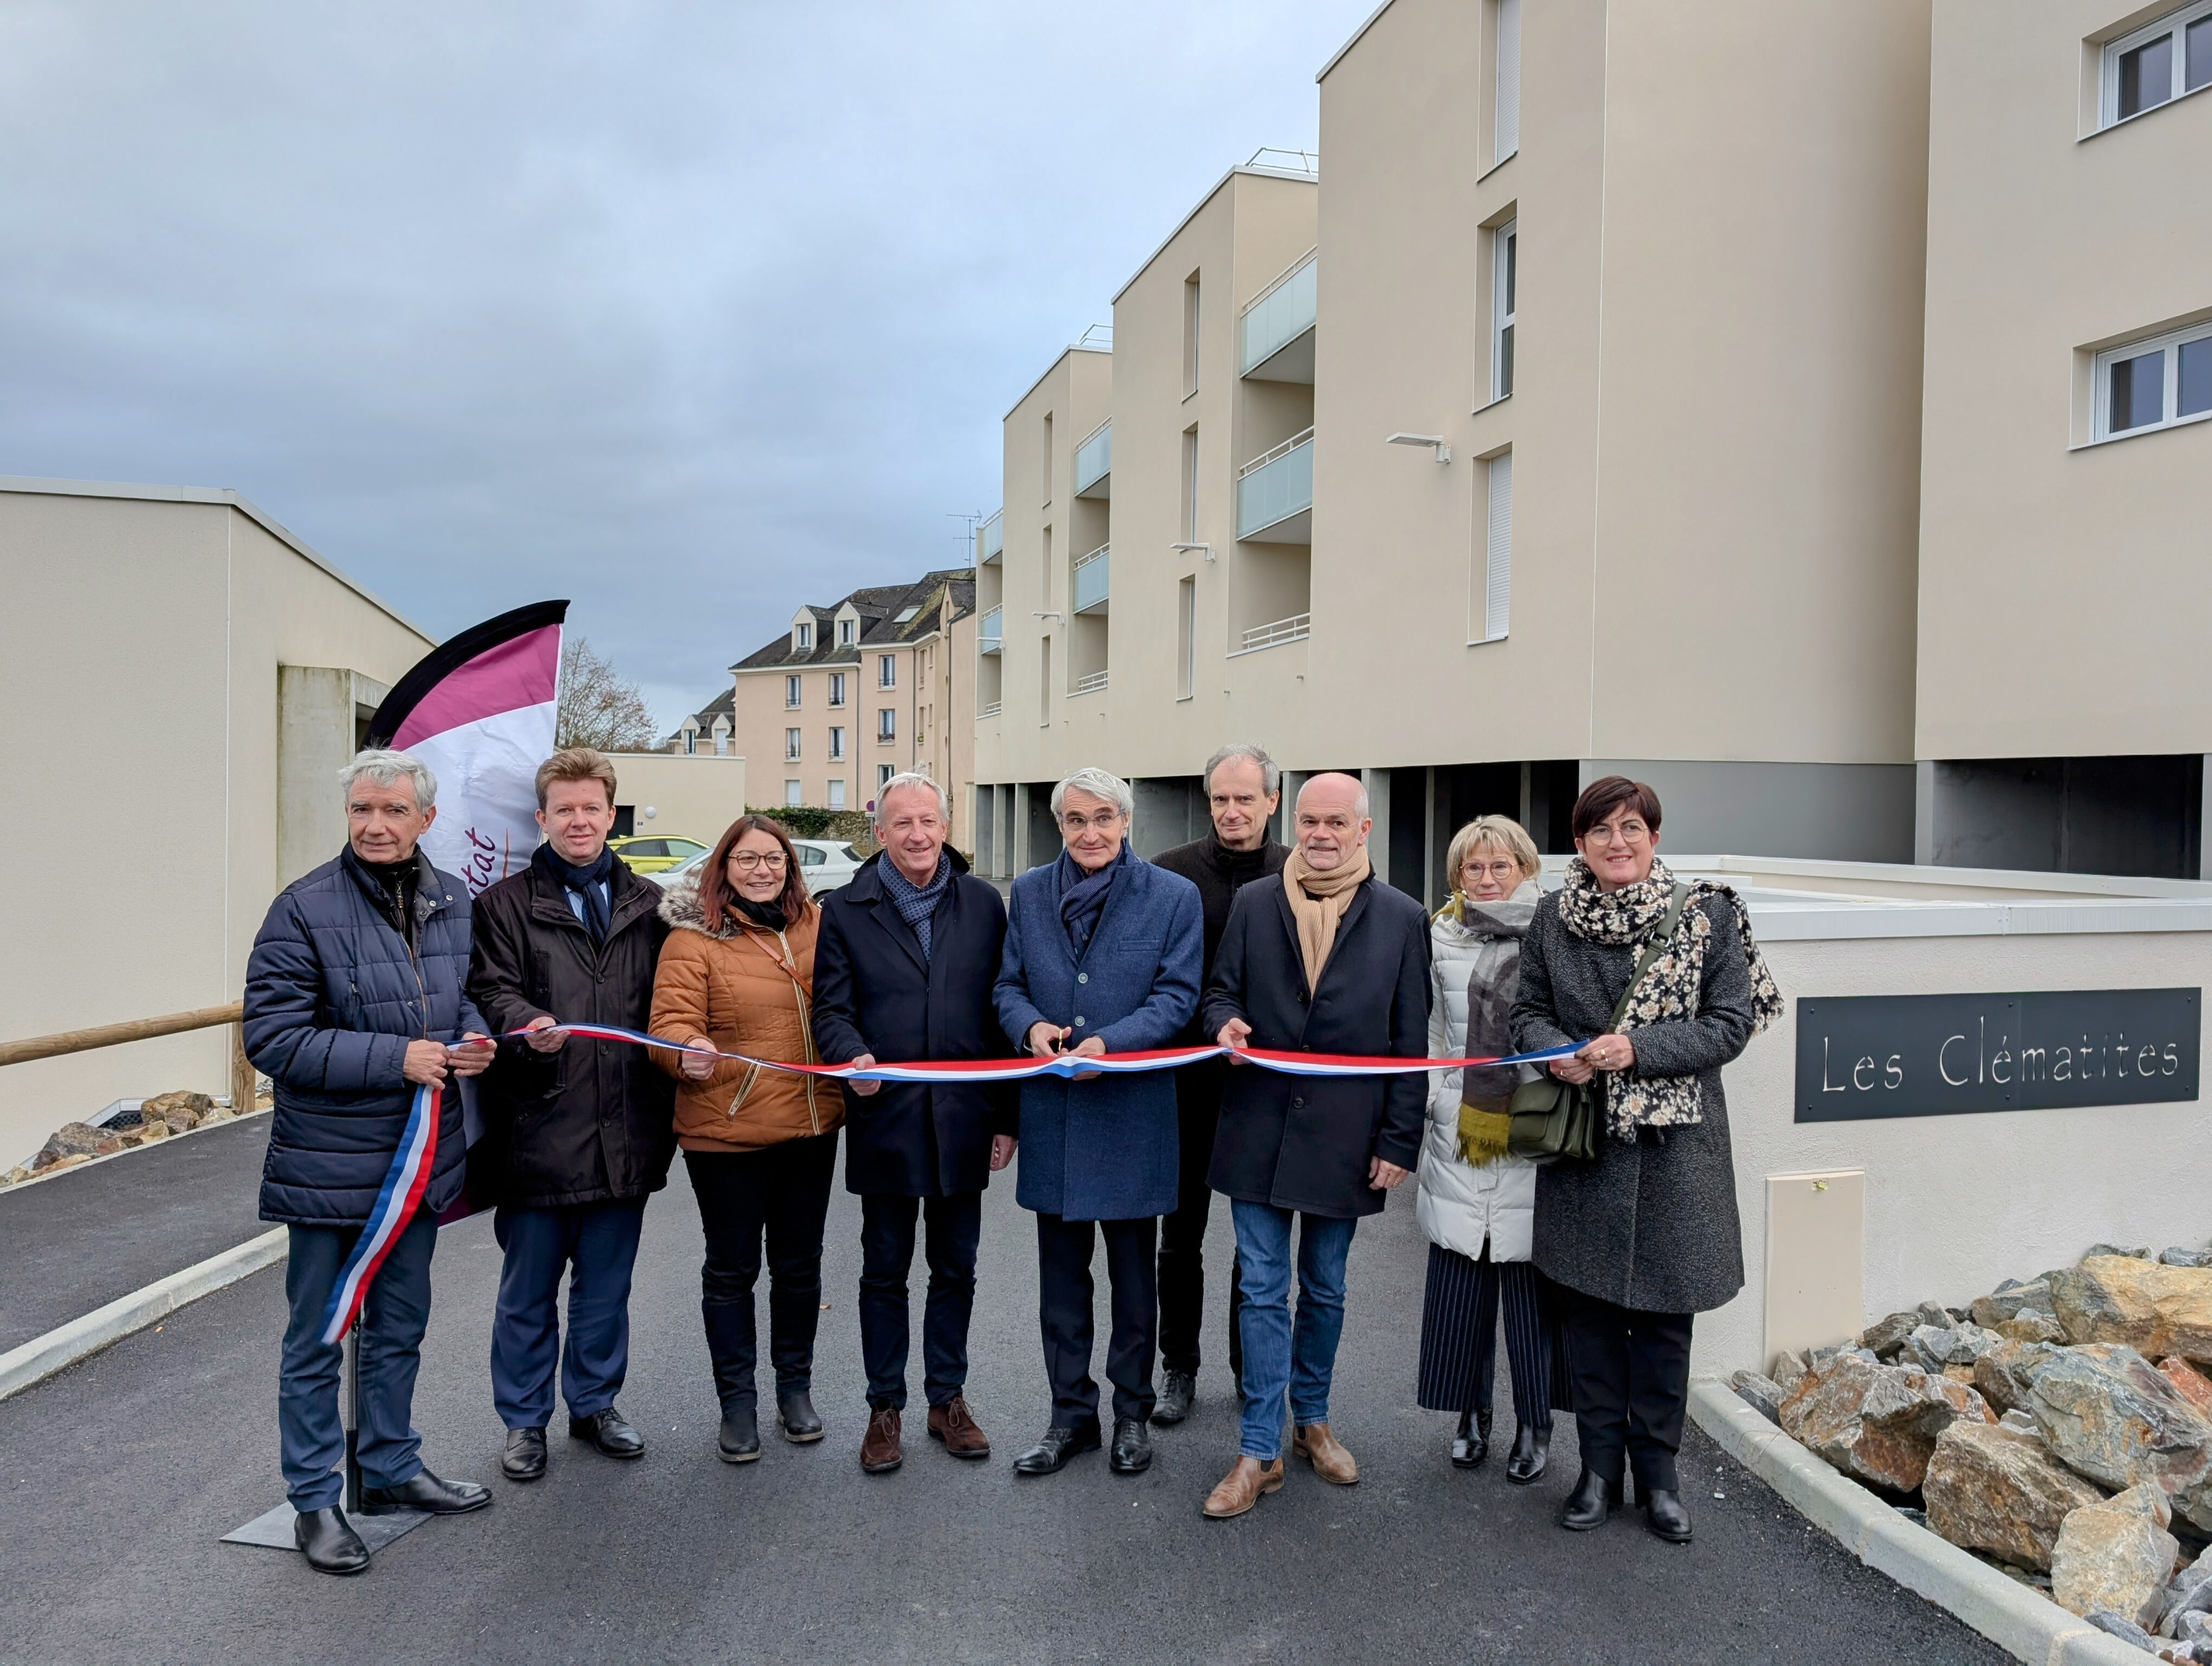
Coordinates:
<point>1103,1149</point>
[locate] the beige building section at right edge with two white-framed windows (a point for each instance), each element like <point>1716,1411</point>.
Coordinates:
<point>2067,468</point>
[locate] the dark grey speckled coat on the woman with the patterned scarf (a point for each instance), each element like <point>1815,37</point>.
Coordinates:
<point>1651,1222</point>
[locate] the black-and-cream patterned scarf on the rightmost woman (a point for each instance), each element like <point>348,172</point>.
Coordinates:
<point>1673,986</point>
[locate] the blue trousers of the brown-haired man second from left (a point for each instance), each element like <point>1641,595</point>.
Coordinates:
<point>596,1245</point>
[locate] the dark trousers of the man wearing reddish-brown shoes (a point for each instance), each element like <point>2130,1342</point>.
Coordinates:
<point>950,1238</point>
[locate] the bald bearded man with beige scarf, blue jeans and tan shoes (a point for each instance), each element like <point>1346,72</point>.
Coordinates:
<point>1319,959</point>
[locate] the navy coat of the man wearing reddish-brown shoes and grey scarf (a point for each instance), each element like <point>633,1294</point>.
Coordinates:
<point>875,992</point>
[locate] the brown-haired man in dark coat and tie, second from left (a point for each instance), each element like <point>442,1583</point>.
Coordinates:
<point>578,1134</point>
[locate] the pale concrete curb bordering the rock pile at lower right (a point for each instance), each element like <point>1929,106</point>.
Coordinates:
<point>2027,1625</point>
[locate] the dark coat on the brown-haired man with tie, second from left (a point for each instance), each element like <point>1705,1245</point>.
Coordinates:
<point>592,1121</point>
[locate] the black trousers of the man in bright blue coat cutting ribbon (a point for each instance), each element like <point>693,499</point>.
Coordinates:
<point>1065,1315</point>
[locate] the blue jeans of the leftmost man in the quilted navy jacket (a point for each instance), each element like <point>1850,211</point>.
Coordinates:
<point>393,1322</point>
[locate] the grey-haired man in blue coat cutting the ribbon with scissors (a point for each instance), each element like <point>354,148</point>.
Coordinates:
<point>1103,957</point>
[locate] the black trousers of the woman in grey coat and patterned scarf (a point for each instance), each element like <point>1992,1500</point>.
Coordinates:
<point>1631,1377</point>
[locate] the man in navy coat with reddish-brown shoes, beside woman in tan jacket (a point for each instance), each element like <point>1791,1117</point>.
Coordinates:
<point>904,972</point>
